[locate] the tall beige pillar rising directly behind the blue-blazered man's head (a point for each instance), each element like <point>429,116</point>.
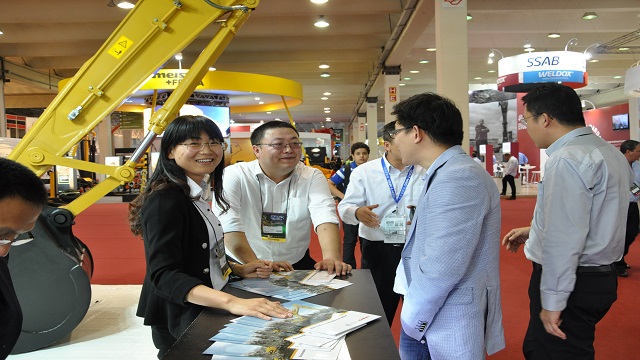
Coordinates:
<point>451,57</point>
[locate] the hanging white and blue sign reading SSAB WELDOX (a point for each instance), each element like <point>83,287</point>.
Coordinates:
<point>540,67</point>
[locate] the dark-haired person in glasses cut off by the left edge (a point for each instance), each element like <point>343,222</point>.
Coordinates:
<point>22,196</point>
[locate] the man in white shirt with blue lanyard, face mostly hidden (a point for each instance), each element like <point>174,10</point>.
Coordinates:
<point>382,212</point>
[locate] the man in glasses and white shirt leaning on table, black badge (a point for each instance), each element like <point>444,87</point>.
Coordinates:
<point>273,202</point>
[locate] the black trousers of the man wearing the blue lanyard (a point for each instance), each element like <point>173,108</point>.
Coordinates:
<point>383,259</point>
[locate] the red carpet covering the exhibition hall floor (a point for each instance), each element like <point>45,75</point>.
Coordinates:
<point>119,259</point>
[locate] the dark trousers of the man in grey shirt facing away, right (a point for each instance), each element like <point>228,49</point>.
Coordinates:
<point>591,298</point>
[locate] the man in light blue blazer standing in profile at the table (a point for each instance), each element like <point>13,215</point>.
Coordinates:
<point>451,280</point>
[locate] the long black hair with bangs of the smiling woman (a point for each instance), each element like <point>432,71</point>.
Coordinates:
<point>168,173</point>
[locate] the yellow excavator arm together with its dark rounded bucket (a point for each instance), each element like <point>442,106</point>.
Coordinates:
<point>52,274</point>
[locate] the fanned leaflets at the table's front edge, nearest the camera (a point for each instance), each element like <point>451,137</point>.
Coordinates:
<point>314,332</point>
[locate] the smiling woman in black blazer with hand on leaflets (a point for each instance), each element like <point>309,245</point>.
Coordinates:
<point>184,245</point>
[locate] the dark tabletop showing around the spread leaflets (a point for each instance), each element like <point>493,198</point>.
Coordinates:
<point>373,341</point>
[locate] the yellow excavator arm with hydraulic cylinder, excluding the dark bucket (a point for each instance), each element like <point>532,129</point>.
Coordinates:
<point>147,38</point>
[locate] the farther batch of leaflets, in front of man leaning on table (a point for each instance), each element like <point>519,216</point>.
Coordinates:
<point>292,285</point>
